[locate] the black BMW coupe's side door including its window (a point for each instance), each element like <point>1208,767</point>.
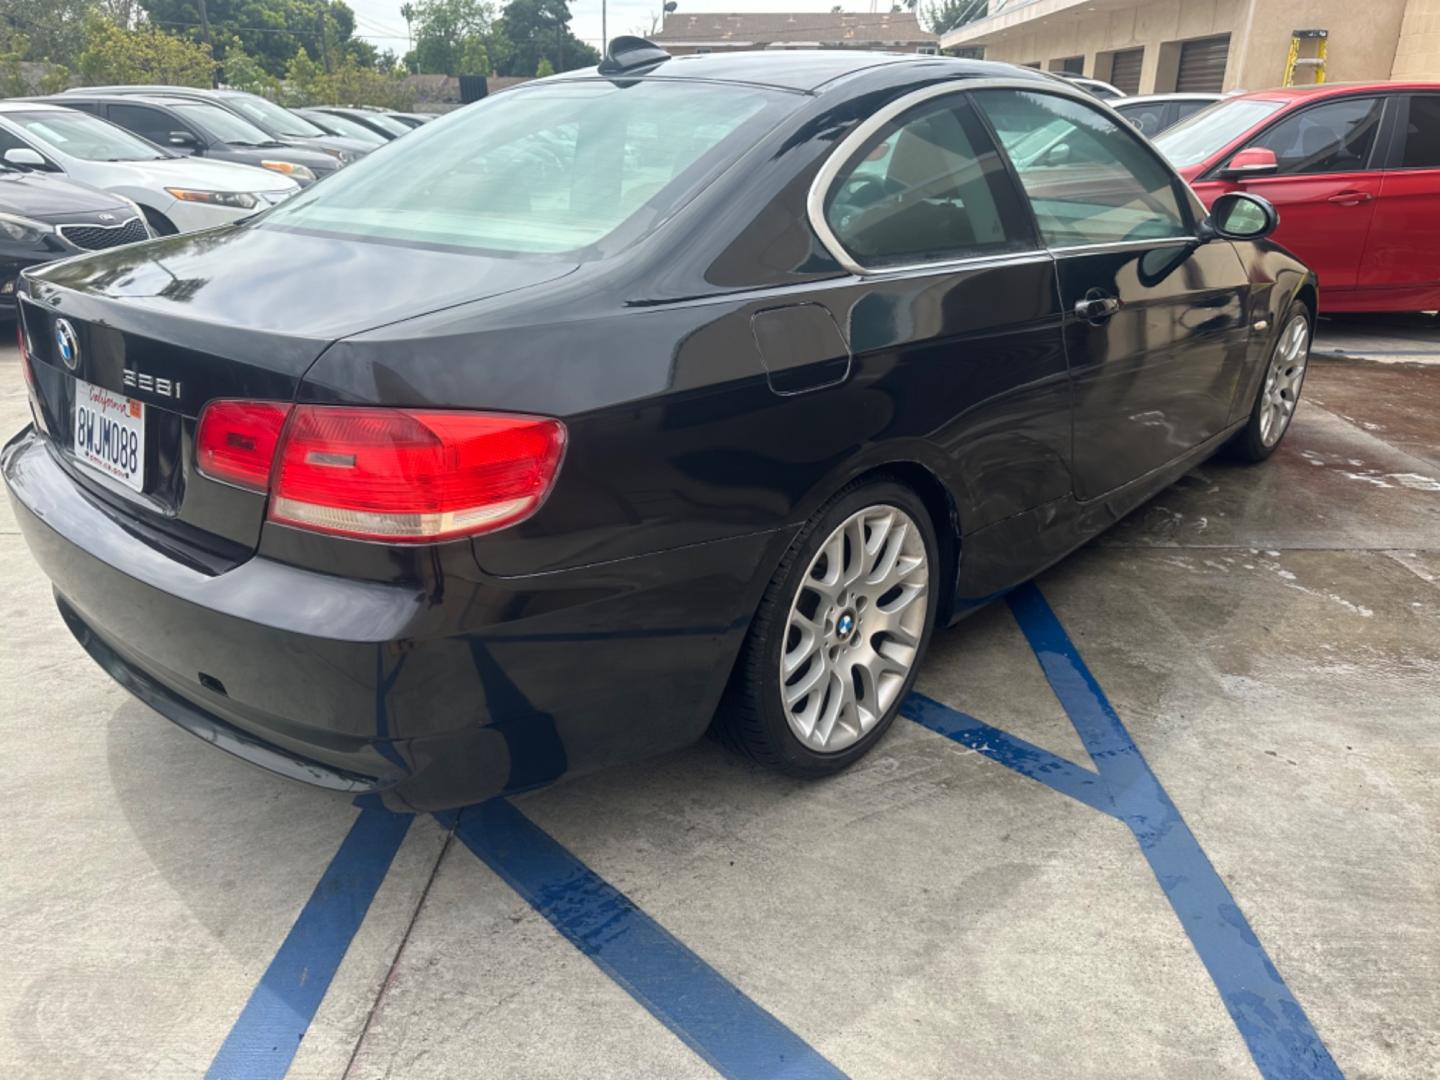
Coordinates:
<point>1154,322</point>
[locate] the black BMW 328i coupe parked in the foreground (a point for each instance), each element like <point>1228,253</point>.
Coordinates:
<point>447,479</point>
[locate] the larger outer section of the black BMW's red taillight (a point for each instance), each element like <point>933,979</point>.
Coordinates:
<point>413,476</point>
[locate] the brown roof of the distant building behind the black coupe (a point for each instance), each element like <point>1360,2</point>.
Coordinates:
<point>793,28</point>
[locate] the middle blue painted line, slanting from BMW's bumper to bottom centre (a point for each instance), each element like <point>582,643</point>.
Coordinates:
<point>708,1012</point>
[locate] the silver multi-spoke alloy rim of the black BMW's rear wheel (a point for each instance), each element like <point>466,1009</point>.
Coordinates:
<point>855,629</point>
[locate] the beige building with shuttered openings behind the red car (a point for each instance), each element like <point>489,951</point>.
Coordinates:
<point>1154,47</point>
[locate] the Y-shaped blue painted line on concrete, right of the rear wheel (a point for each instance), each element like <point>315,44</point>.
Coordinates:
<point>1281,1039</point>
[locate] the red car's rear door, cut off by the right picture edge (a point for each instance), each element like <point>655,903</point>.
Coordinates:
<point>1403,251</point>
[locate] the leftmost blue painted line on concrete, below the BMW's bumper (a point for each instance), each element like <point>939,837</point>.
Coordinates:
<point>267,1035</point>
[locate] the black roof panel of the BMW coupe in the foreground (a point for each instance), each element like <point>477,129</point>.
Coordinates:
<point>803,70</point>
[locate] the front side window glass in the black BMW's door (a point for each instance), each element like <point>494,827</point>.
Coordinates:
<point>1089,179</point>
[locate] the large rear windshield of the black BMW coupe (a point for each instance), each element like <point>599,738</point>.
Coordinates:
<point>544,171</point>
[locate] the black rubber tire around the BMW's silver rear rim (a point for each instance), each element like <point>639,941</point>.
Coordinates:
<point>752,719</point>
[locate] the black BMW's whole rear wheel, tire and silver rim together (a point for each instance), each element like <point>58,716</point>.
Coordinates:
<point>839,637</point>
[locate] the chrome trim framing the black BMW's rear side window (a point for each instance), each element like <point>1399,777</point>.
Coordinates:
<point>845,152</point>
